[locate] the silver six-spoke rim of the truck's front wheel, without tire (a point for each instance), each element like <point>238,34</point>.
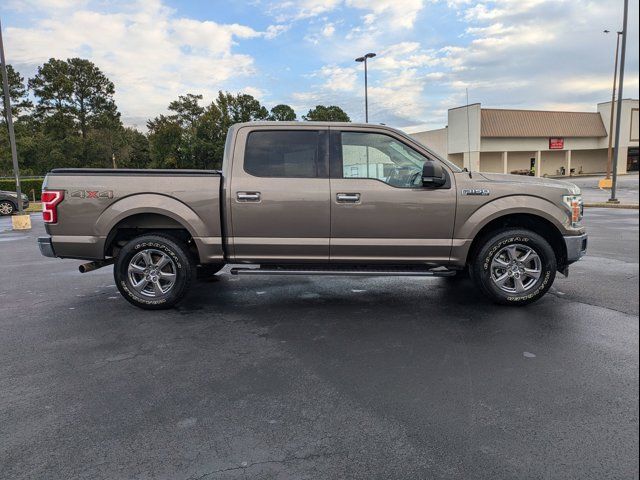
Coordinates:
<point>516,268</point>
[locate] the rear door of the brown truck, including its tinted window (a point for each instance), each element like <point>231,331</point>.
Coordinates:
<point>279,195</point>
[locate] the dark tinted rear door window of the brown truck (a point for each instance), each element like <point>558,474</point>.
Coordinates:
<point>284,153</point>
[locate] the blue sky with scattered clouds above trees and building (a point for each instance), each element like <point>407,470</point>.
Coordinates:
<point>545,54</point>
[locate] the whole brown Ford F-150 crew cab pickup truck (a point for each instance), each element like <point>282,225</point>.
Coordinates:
<point>315,199</point>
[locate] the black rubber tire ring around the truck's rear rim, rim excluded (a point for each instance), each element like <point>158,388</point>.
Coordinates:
<point>184,271</point>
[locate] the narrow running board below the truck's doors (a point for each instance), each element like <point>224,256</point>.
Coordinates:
<point>345,270</point>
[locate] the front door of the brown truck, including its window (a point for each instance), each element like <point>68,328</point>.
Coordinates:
<point>380,211</point>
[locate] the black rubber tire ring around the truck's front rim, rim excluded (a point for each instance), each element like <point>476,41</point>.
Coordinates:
<point>482,266</point>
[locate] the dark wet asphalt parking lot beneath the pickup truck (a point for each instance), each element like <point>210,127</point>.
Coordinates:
<point>287,377</point>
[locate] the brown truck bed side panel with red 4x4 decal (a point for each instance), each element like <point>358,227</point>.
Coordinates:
<point>98,203</point>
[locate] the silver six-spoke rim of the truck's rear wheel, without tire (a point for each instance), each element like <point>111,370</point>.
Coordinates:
<point>152,273</point>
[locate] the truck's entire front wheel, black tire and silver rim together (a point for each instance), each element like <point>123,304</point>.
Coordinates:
<point>508,246</point>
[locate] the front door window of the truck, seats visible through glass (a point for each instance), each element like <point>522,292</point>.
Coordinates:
<point>381,157</point>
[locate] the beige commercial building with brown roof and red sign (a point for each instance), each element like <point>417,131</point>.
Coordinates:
<point>546,143</point>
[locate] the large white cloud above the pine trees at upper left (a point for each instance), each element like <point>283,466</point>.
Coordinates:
<point>150,54</point>
